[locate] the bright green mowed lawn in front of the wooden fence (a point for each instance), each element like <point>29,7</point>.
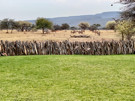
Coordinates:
<point>67,78</point>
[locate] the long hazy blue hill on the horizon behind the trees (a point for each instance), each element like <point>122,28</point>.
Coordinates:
<point>100,18</point>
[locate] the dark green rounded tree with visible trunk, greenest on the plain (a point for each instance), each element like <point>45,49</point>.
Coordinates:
<point>43,23</point>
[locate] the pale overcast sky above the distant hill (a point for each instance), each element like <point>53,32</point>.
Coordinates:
<point>31,9</point>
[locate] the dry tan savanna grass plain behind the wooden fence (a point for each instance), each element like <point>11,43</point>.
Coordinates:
<point>107,35</point>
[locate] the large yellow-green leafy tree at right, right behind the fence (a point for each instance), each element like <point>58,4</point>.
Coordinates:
<point>126,29</point>
